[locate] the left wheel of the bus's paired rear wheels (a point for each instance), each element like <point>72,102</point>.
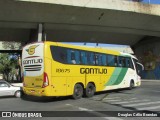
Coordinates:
<point>78,91</point>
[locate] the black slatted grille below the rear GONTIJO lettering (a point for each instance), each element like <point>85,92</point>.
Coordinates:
<point>32,67</point>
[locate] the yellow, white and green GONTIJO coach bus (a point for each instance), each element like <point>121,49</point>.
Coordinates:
<point>56,69</point>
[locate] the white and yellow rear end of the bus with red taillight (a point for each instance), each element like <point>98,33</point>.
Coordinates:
<point>35,80</point>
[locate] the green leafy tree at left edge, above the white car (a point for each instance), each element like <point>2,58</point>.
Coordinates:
<point>7,65</point>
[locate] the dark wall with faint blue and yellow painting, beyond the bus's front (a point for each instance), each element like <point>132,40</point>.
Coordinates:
<point>148,53</point>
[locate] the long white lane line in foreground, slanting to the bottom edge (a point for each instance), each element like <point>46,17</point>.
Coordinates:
<point>95,113</point>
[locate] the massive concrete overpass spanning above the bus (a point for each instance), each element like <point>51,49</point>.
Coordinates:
<point>103,21</point>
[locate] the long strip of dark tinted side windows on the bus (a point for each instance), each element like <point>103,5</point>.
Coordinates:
<point>74,56</point>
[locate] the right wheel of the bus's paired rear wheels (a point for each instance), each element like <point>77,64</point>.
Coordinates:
<point>90,90</point>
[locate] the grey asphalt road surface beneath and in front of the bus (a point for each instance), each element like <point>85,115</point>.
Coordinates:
<point>145,99</point>
